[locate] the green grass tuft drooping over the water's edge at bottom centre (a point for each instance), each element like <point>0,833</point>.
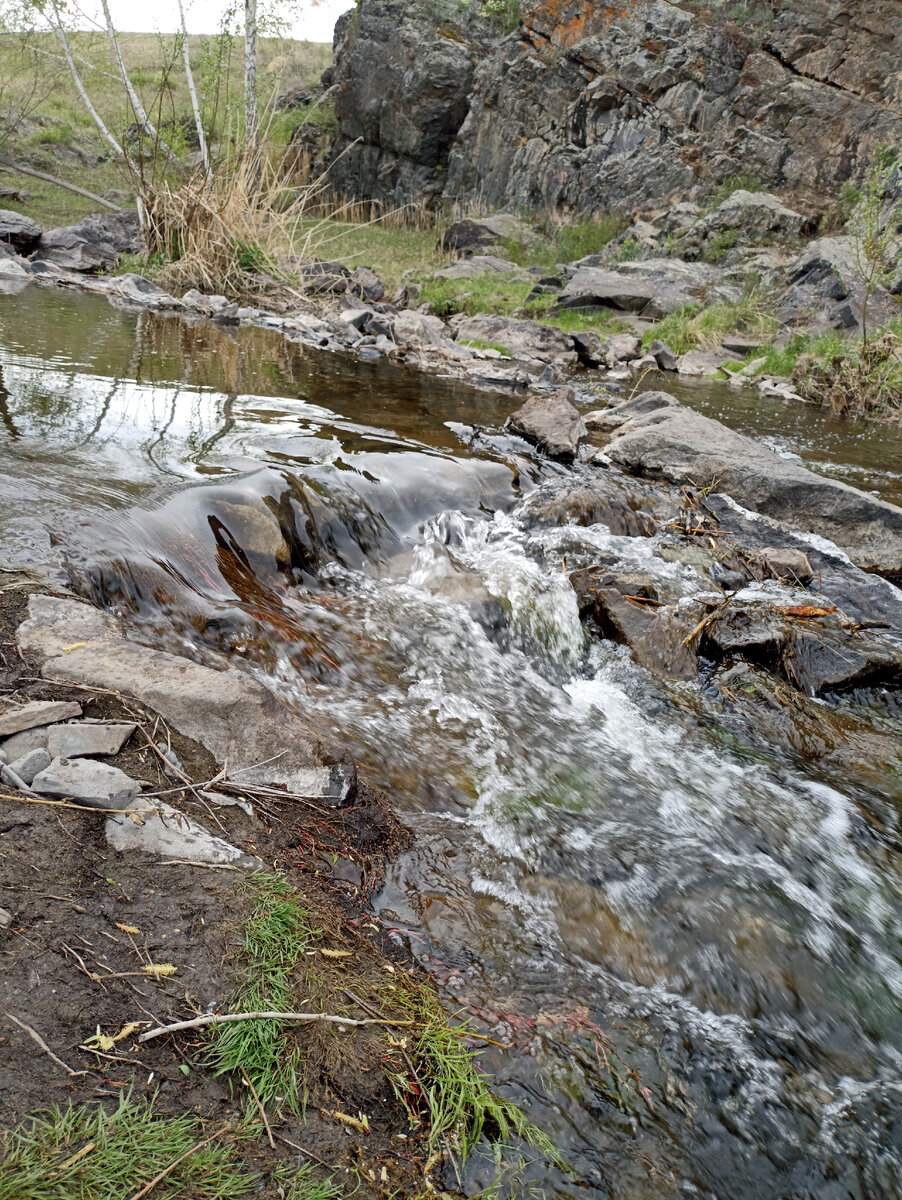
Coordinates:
<point>461,1108</point>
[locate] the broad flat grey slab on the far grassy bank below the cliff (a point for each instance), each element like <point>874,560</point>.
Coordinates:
<point>651,289</point>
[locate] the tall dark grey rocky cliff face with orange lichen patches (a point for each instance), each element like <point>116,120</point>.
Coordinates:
<point>592,105</point>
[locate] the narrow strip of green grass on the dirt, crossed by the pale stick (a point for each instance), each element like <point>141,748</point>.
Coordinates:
<point>275,937</point>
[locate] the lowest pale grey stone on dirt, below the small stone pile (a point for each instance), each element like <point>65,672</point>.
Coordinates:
<point>167,833</point>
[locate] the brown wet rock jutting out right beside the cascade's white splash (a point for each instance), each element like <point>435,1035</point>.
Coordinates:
<point>656,637</point>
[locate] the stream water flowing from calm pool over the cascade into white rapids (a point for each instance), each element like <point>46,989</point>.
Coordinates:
<point>689,947</point>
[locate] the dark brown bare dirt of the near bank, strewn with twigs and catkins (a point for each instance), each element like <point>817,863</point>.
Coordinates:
<point>71,961</point>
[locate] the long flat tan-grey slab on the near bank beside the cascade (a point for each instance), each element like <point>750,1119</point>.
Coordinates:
<point>239,722</point>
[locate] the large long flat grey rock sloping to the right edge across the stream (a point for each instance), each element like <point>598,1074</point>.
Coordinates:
<point>677,445</point>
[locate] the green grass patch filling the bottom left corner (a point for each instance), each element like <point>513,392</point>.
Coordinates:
<point>47,1157</point>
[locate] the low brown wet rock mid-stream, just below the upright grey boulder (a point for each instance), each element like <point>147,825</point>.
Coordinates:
<point>628,507</point>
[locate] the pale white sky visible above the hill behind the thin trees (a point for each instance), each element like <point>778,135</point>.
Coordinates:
<point>315,23</point>
